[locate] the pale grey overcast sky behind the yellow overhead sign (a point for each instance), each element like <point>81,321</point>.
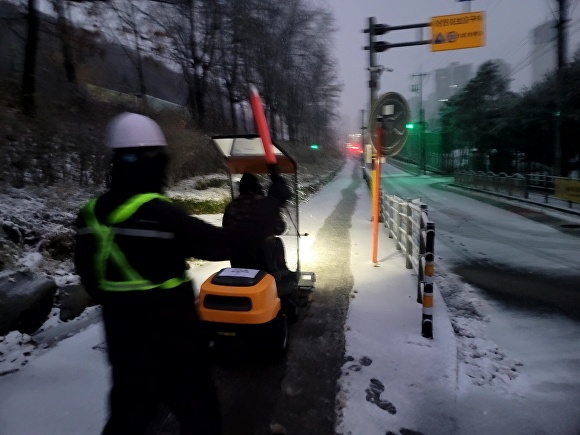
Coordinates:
<point>508,27</point>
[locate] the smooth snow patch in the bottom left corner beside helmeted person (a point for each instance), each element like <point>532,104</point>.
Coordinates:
<point>62,392</point>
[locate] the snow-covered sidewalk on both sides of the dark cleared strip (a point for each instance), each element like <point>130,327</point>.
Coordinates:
<point>393,377</point>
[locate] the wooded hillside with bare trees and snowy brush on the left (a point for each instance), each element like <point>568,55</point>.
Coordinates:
<point>62,81</point>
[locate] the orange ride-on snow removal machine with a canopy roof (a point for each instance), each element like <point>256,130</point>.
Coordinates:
<point>251,306</point>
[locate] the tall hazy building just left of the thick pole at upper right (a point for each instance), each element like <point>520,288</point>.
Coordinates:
<point>543,50</point>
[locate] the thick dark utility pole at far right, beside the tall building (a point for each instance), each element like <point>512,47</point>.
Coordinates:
<point>562,44</point>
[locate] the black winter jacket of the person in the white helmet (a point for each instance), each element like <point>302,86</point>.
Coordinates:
<point>157,240</point>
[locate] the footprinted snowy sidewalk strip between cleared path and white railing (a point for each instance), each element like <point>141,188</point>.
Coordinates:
<point>395,379</point>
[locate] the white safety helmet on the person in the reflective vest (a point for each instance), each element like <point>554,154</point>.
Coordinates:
<point>130,130</point>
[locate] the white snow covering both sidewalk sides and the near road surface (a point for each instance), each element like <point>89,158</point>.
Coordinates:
<point>477,376</point>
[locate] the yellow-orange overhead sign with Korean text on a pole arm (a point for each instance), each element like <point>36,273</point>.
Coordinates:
<point>453,32</point>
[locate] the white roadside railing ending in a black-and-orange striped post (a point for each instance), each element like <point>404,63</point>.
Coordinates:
<point>408,223</point>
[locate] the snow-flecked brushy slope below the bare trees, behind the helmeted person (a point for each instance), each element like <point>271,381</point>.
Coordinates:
<point>55,161</point>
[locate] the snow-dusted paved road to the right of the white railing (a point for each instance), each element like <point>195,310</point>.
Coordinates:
<point>523,266</point>
